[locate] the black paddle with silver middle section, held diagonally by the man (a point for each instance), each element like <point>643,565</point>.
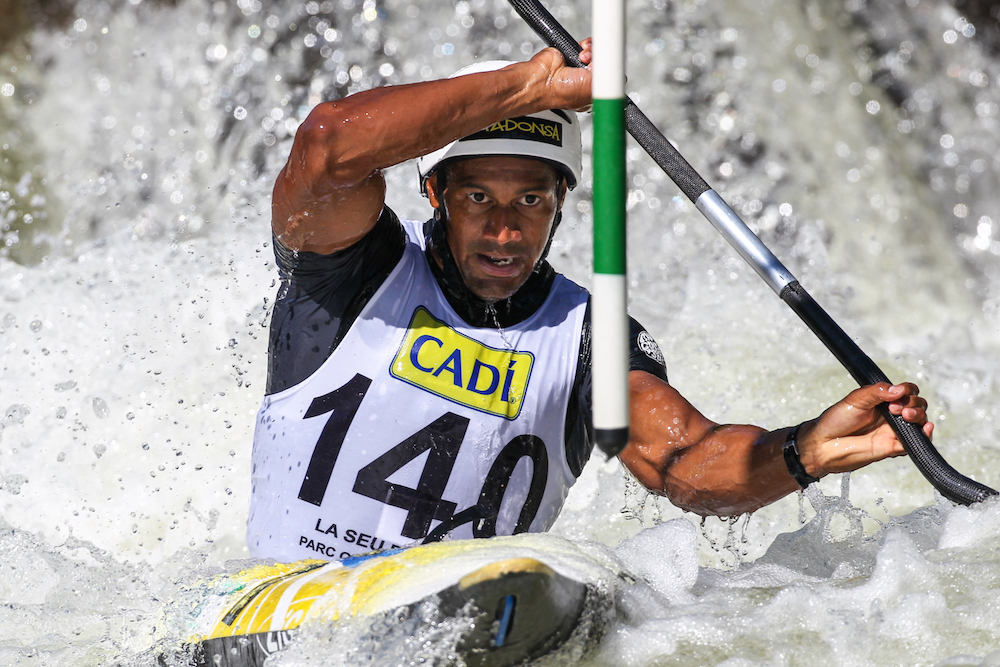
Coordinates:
<point>948,481</point>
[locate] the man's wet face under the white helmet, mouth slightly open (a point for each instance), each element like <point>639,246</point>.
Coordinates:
<point>499,211</point>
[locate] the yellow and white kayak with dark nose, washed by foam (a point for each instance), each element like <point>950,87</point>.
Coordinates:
<point>517,599</point>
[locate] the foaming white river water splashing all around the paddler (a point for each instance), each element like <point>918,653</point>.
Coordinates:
<point>140,142</point>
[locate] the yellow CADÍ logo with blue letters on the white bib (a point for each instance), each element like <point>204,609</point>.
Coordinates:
<point>438,359</point>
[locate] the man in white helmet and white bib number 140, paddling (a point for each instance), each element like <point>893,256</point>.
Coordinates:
<point>434,380</point>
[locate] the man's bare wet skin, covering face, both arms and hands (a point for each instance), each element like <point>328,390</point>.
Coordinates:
<point>331,192</point>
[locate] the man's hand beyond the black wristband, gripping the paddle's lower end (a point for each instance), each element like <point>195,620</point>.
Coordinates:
<point>852,433</point>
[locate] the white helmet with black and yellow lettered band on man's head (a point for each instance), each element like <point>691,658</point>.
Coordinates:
<point>552,136</point>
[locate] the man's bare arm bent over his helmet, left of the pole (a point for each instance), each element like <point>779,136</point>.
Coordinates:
<point>331,191</point>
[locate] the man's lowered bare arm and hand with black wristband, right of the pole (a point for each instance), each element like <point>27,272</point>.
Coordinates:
<point>726,470</point>
